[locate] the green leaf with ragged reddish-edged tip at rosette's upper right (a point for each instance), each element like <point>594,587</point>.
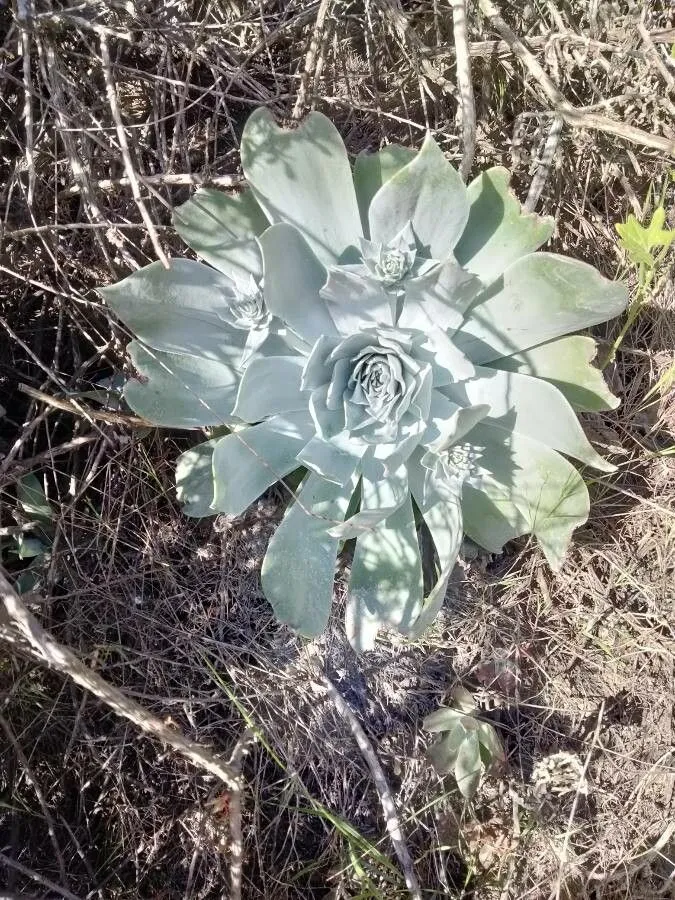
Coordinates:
<point>497,232</point>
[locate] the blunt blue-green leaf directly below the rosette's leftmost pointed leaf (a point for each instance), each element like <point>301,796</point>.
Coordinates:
<point>178,391</point>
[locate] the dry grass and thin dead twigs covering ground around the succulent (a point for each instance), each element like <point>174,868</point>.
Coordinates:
<point>171,611</point>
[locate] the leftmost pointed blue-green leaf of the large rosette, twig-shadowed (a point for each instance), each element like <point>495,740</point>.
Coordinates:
<point>176,309</point>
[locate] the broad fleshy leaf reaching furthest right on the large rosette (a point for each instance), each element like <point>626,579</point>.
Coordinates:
<point>540,297</point>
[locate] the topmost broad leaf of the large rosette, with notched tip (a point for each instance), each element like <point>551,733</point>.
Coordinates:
<point>299,174</point>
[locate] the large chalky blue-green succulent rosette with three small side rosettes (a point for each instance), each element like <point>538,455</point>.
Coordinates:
<point>392,334</point>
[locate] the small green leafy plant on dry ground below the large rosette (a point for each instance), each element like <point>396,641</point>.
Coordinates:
<point>468,746</point>
